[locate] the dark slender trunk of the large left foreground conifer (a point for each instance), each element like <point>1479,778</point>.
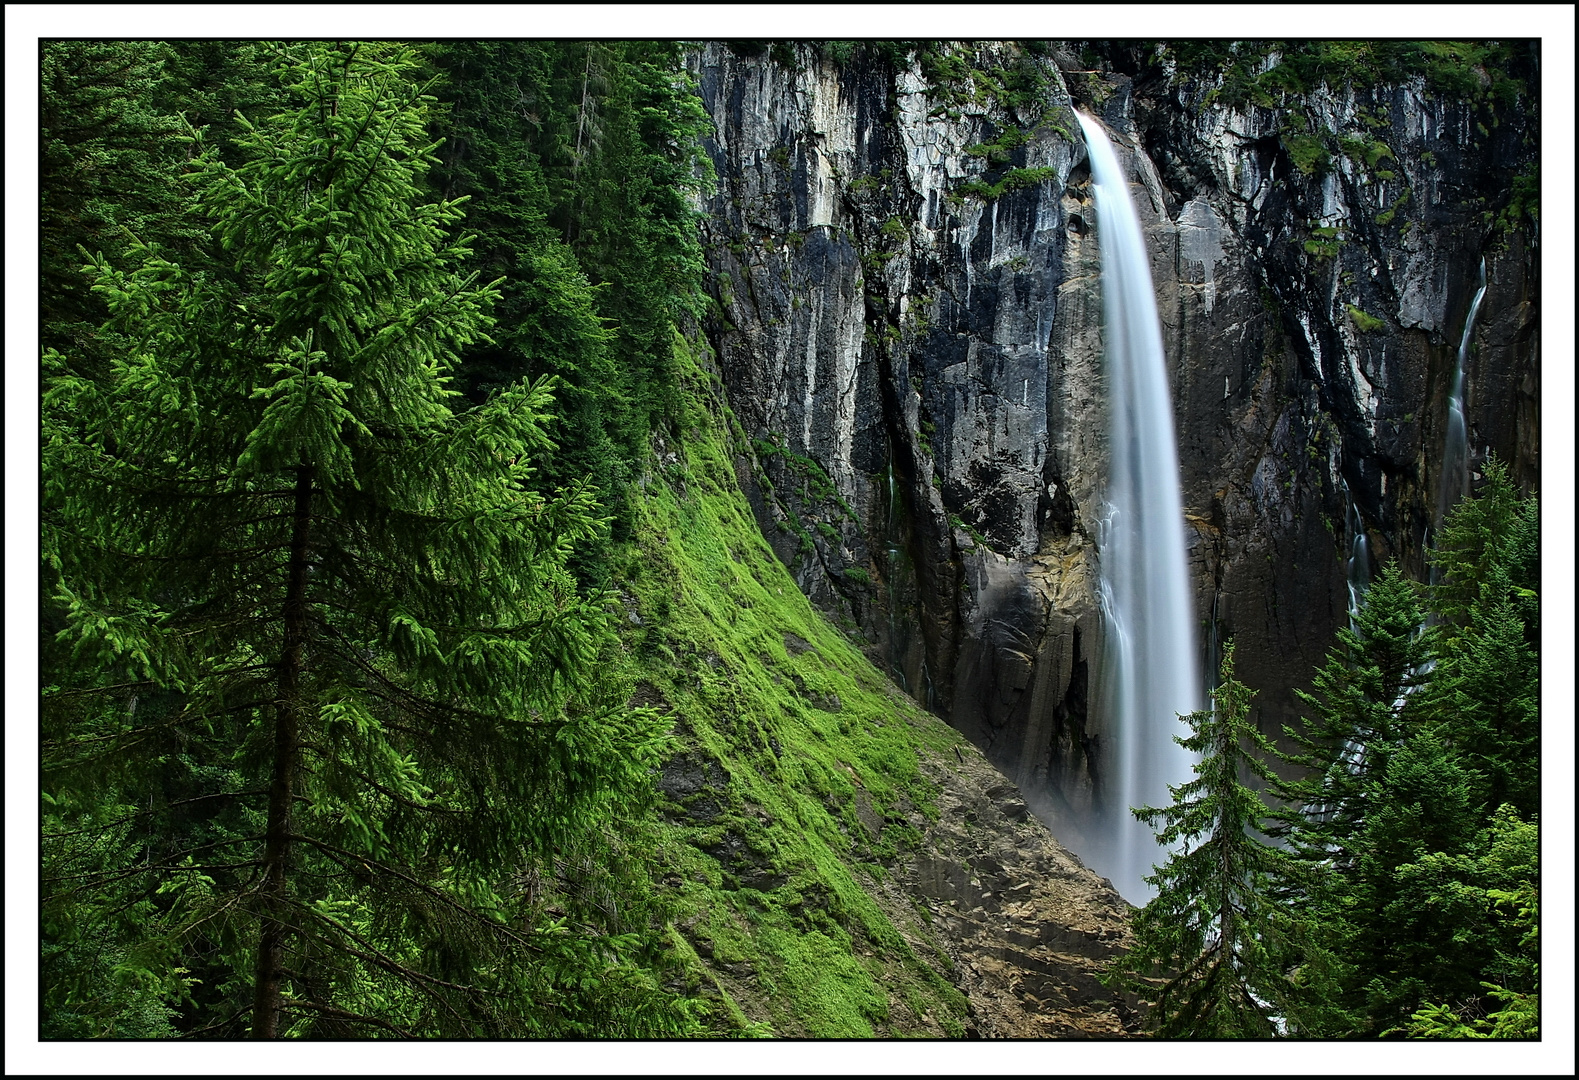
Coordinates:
<point>277,850</point>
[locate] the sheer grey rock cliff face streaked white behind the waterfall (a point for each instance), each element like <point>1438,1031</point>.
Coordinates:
<point>909,326</point>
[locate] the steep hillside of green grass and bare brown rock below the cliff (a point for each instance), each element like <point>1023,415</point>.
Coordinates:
<point>842,864</point>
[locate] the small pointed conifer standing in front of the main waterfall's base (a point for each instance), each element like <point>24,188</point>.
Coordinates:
<point>1209,947</point>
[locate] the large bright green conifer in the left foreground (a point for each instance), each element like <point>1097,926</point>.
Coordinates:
<point>296,574</point>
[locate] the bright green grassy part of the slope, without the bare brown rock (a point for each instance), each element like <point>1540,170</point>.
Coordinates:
<point>803,767</point>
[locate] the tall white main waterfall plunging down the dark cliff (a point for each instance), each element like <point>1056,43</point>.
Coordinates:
<point>1152,667</point>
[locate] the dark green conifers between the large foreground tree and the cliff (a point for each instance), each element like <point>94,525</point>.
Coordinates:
<point>582,201</point>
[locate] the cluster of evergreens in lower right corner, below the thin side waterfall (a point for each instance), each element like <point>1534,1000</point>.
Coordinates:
<point>1411,825</point>
